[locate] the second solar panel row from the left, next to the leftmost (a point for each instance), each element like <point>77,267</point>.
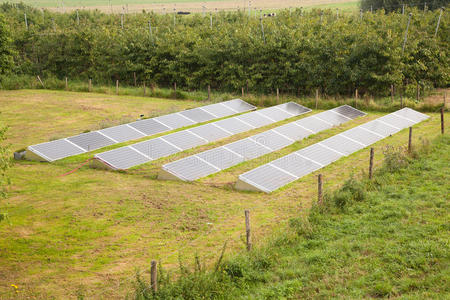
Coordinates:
<point>133,155</point>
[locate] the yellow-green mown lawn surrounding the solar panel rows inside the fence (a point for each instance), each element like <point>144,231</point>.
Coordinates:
<point>88,232</point>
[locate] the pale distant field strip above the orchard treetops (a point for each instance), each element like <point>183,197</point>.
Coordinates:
<point>190,5</point>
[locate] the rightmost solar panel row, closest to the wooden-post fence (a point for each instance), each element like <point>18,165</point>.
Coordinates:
<point>278,173</point>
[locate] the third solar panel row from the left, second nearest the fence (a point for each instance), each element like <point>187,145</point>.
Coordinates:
<point>215,160</point>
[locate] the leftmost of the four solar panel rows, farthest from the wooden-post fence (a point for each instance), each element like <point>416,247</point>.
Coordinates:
<point>86,142</point>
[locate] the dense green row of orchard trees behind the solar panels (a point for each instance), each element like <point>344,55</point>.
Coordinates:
<point>300,51</point>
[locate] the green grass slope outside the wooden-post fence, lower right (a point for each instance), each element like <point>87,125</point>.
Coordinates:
<point>382,238</point>
